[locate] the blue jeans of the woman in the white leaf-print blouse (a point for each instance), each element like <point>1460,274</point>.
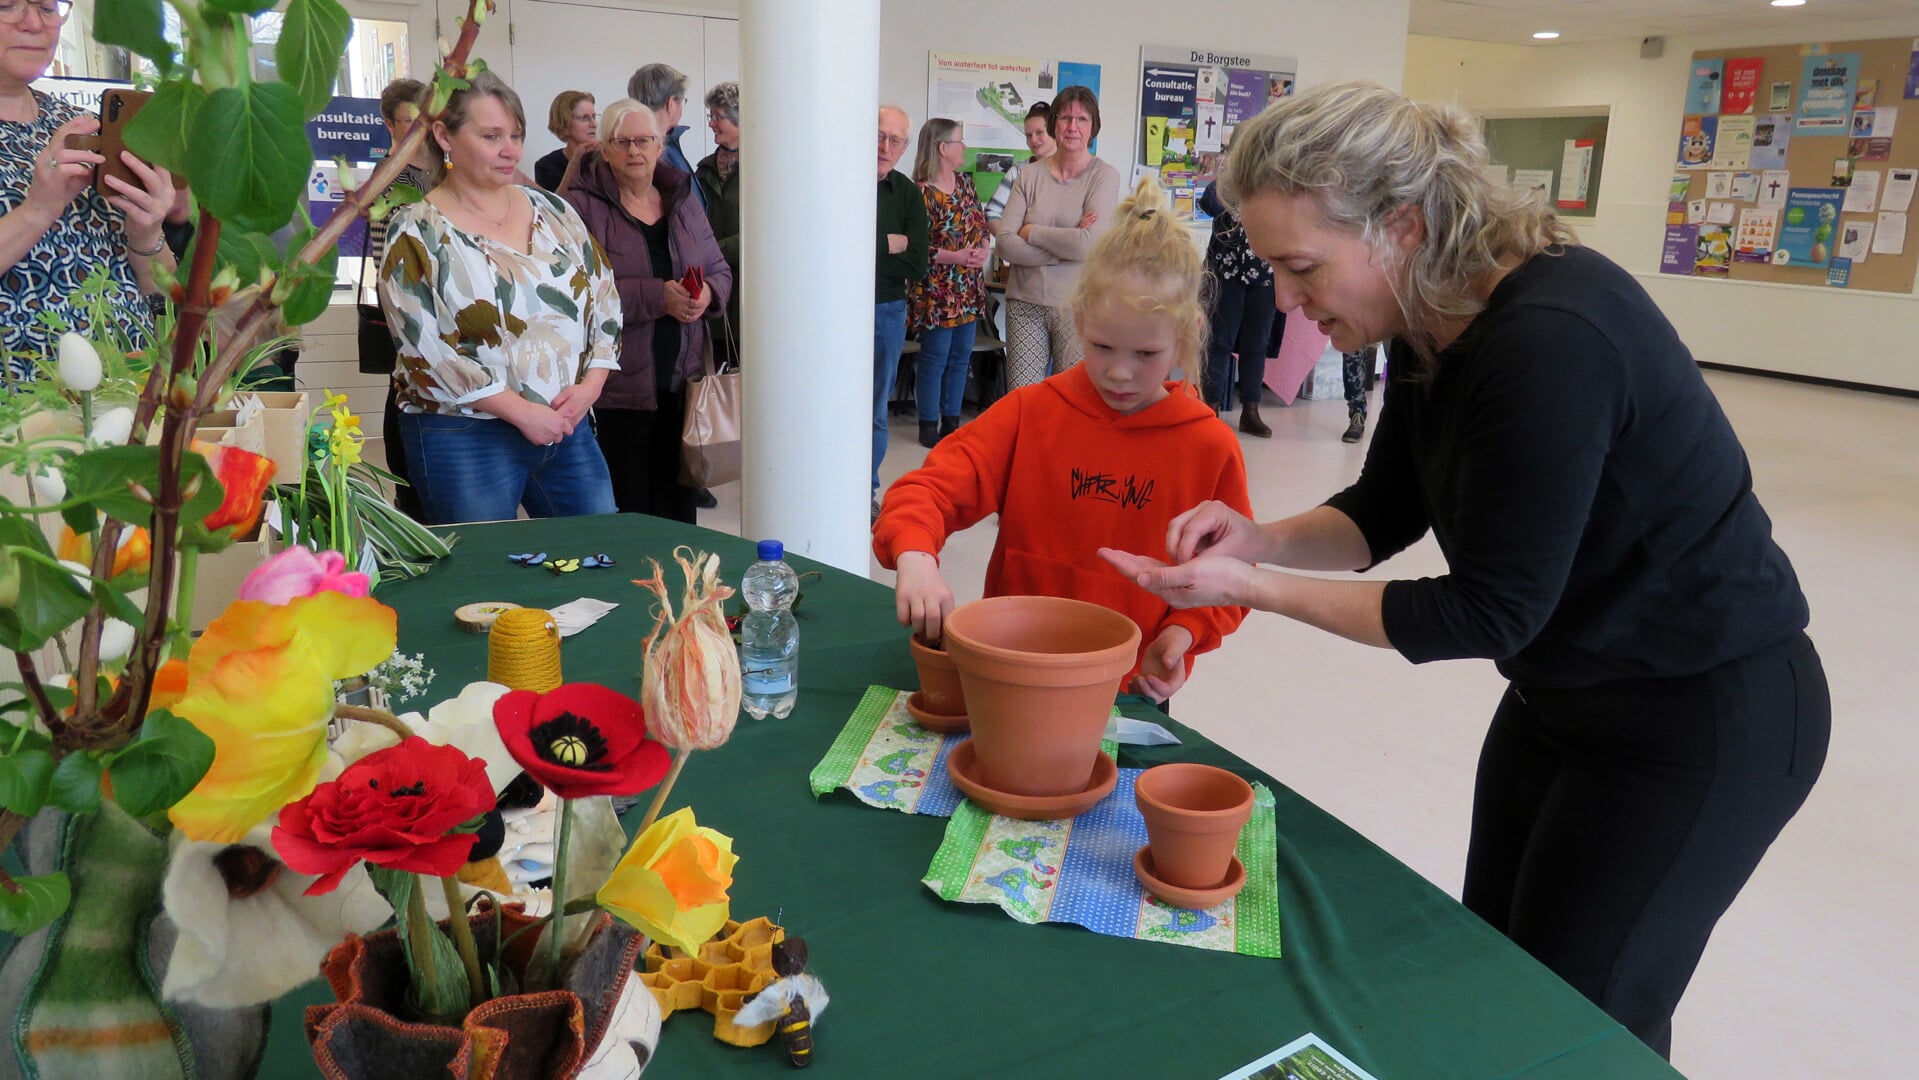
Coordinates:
<point>471,469</point>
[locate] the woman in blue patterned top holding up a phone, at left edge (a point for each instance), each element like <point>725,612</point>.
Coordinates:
<point>57,225</point>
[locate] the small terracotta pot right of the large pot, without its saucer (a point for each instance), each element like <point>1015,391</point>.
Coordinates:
<point>1193,820</point>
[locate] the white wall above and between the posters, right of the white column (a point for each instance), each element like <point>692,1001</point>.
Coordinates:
<point>1333,39</point>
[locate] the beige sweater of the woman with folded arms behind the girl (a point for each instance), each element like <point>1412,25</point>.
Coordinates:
<point>1047,264</point>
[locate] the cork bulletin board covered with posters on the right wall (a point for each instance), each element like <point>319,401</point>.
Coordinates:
<point>1793,158</point>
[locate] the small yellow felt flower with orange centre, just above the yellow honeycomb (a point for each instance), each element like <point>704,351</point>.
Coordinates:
<point>673,883</point>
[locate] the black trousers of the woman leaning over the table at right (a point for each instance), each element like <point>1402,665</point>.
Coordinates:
<point>1613,826</point>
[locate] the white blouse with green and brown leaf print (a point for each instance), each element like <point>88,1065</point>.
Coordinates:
<point>473,317</point>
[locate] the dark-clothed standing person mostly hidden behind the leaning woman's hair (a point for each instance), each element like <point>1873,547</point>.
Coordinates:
<point>1243,316</point>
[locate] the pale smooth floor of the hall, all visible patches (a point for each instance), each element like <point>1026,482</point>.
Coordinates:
<point>1816,962</point>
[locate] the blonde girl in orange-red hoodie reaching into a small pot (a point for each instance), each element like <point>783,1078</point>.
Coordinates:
<point>1101,456</point>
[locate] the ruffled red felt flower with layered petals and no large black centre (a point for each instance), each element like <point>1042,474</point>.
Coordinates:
<point>394,809</point>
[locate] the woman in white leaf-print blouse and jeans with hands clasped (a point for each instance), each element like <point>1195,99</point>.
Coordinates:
<point>508,323</point>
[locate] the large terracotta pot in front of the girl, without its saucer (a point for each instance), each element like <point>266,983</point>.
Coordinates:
<point>1041,676</point>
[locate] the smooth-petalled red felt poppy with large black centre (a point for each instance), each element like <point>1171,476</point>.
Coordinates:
<point>580,740</point>
